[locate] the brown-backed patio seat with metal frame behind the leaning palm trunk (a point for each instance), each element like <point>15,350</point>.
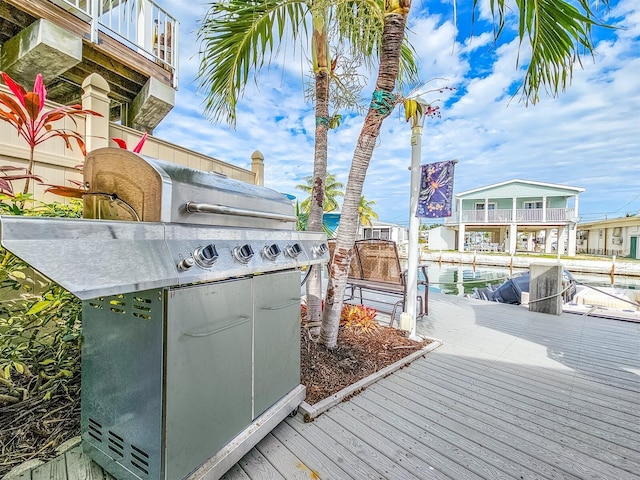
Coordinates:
<point>375,267</point>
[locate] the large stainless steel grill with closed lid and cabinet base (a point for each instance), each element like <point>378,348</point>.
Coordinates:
<point>190,284</point>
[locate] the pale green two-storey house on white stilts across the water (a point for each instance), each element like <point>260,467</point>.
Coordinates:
<point>517,215</point>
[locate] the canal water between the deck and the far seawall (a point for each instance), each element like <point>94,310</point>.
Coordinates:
<point>462,279</point>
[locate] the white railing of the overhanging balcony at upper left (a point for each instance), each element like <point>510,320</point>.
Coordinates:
<point>140,24</point>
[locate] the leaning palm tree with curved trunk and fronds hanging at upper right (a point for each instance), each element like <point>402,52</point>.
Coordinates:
<point>556,31</point>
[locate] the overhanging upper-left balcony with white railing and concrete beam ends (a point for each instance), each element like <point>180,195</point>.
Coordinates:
<point>132,44</point>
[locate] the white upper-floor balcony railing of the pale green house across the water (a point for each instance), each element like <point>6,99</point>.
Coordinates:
<point>529,216</point>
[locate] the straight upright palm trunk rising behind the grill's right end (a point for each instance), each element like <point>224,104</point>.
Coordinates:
<point>316,208</point>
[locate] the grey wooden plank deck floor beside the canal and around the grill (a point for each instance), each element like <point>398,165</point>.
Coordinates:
<point>510,394</point>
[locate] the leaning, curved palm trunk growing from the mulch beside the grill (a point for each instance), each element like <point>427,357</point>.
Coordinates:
<point>381,107</point>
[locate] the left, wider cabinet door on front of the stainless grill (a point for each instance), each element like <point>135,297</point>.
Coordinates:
<point>208,382</point>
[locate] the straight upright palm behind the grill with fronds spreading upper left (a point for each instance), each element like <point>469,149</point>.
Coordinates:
<point>238,37</point>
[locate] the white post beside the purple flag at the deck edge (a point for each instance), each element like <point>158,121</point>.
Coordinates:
<point>414,225</point>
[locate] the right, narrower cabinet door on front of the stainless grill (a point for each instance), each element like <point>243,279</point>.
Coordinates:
<point>277,337</point>
